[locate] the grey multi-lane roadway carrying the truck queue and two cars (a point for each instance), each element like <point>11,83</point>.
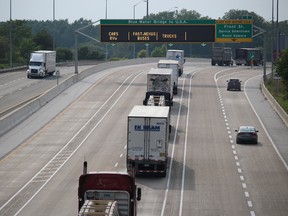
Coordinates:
<point>208,173</point>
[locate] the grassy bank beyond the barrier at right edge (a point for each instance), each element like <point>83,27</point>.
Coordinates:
<point>280,95</point>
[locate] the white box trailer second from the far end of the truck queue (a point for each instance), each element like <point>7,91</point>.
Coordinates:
<point>174,65</point>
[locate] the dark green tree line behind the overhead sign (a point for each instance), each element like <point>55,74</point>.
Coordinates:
<point>30,35</point>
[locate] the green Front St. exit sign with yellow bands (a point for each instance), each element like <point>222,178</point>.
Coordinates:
<point>234,31</point>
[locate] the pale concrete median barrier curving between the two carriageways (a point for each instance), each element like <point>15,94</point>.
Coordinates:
<point>12,119</point>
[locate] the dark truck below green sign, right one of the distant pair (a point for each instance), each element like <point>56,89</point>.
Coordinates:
<point>249,56</point>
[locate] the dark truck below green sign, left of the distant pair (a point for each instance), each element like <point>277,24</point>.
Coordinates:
<point>222,56</point>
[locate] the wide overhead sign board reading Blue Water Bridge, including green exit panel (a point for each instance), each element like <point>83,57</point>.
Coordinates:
<point>176,31</point>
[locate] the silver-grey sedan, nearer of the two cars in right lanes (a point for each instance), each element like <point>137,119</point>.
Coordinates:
<point>247,134</point>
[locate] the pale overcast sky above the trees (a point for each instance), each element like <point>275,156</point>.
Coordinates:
<point>124,9</point>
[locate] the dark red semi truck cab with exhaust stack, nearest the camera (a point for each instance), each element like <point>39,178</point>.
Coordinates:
<point>107,193</point>
